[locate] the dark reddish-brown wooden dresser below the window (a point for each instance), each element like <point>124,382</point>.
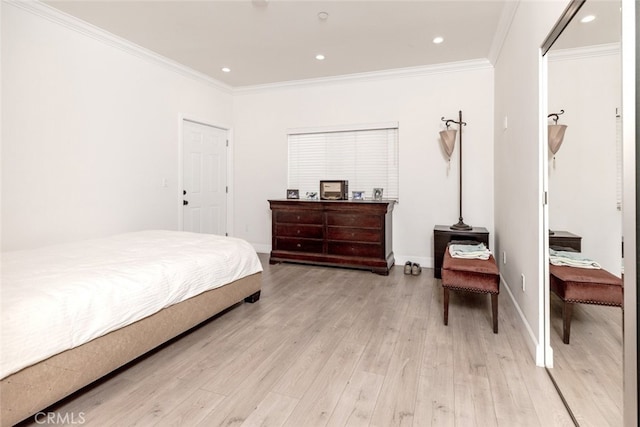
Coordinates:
<point>340,233</point>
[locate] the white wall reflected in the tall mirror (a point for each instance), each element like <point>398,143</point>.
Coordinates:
<point>582,184</point>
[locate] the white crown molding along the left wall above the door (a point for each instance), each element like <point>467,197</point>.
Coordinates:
<point>56,16</point>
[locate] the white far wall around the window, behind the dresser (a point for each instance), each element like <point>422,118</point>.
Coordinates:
<point>428,193</point>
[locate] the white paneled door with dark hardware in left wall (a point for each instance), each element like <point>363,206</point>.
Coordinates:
<point>204,173</point>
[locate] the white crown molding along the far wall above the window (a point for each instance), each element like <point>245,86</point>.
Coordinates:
<point>449,67</point>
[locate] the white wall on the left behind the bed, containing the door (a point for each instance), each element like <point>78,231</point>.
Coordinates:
<point>89,132</point>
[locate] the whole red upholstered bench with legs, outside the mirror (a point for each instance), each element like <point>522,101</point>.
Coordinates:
<point>472,275</point>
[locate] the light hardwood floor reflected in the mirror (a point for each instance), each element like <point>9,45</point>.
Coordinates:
<point>588,371</point>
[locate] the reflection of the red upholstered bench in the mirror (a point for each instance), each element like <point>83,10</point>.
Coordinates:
<point>584,286</point>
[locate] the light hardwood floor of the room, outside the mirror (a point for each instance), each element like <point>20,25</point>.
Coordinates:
<point>335,347</point>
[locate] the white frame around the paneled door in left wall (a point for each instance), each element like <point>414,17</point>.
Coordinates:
<point>229,159</point>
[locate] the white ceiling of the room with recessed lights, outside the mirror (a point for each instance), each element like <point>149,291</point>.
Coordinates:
<point>270,41</point>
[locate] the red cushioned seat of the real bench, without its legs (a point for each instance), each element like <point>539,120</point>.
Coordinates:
<point>474,275</point>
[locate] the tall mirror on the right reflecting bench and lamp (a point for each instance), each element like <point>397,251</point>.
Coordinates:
<point>584,97</point>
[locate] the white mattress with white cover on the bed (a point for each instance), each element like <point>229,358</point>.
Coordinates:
<point>59,297</point>
